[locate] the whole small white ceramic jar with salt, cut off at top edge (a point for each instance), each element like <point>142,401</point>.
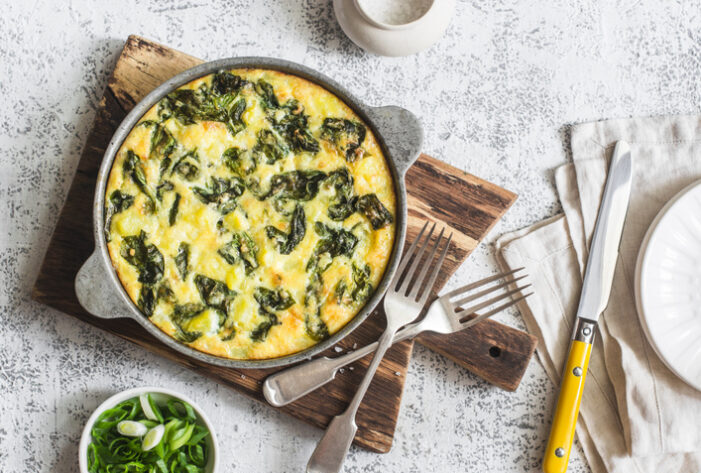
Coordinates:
<point>394,27</point>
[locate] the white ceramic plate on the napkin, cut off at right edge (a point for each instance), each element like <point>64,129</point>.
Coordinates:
<point>668,284</point>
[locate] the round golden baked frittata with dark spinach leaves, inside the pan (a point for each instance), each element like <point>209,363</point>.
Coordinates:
<point>250,214</point>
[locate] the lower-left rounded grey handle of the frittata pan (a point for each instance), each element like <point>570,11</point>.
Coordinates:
<point>95,291</point>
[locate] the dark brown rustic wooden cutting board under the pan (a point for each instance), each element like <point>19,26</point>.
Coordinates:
<point>466,204</point>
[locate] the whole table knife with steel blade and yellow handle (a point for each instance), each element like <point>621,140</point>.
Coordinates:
<point>596,290</point>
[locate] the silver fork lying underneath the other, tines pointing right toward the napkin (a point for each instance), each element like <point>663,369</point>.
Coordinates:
<point>445,315</point>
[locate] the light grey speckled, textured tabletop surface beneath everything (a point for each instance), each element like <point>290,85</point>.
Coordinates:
<point>496,95</point>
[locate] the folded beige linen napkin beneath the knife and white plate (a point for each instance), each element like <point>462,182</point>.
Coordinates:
<point>636,415</point>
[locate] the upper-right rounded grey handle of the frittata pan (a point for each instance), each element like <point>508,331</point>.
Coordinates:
<point>402,133</point>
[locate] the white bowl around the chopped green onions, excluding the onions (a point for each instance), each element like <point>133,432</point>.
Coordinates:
<point>159,394</point>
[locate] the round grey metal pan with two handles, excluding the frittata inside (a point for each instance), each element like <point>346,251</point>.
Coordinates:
<point>398,131</point>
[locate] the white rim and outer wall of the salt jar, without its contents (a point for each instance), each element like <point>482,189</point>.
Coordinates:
<point>389,39</point>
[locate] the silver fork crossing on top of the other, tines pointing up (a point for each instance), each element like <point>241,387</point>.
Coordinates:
<point>403,302</point>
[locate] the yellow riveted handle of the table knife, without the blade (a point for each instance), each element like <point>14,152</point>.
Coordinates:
<point>557,453</point>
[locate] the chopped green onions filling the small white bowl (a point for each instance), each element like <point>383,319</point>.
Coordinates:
<point>183,447</point>
